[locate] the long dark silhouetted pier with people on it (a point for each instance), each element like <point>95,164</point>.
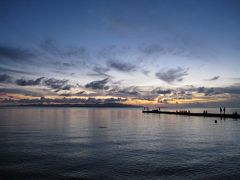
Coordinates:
<point>188,113</point>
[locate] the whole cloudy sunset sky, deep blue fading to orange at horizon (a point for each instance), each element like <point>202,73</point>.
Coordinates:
<point>141,52</point>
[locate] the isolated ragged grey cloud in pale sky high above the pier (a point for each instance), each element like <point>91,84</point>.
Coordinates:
<point>171,75</point>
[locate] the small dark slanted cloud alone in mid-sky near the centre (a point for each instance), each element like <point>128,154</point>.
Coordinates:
<point>121,66</point>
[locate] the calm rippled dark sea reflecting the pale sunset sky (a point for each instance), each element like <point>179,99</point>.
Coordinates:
<point>108,143</point>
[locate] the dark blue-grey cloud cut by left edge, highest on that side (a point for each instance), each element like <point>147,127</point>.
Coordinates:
<point>14,54</point>
